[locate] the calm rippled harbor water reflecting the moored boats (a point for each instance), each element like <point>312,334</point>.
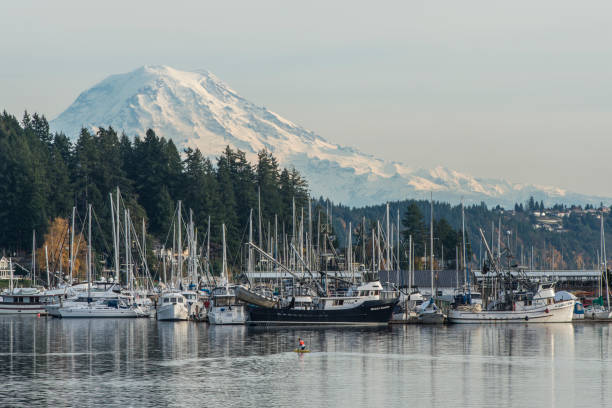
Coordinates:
<point>141,362</point>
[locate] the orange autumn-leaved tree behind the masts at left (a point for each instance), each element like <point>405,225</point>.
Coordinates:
<point>57,241</point>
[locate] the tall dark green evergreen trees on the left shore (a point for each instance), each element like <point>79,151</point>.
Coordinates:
<point>44,174</point>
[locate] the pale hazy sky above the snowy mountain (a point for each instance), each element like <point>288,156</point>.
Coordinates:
<point>517,89</point>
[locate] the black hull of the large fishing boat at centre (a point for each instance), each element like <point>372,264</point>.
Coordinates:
<point>369,312</point>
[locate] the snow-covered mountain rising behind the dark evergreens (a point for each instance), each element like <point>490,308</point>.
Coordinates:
<point>197,109</point>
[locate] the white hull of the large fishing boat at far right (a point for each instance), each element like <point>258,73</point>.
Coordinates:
<point>561,312</point>
